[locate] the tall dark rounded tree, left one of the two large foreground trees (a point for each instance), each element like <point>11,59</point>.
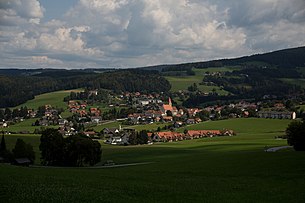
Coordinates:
<point>51,147</point>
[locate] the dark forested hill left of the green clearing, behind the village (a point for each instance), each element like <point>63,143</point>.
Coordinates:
<point>15,90</point>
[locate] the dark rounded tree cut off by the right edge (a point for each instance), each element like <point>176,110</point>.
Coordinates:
<point>295,133</point>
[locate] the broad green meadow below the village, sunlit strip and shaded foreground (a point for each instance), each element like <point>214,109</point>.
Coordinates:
<point>221,169</point>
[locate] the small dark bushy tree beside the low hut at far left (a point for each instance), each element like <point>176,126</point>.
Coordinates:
<point>23,150</point>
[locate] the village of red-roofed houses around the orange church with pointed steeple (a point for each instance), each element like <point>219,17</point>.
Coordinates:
<point>135,109</point>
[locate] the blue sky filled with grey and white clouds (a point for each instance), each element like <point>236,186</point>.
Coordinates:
<point>134,33</point>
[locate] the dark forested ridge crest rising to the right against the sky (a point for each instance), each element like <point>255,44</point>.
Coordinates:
<point>287,58</point>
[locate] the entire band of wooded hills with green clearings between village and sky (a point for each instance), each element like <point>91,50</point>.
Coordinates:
<point>276,73</point>
